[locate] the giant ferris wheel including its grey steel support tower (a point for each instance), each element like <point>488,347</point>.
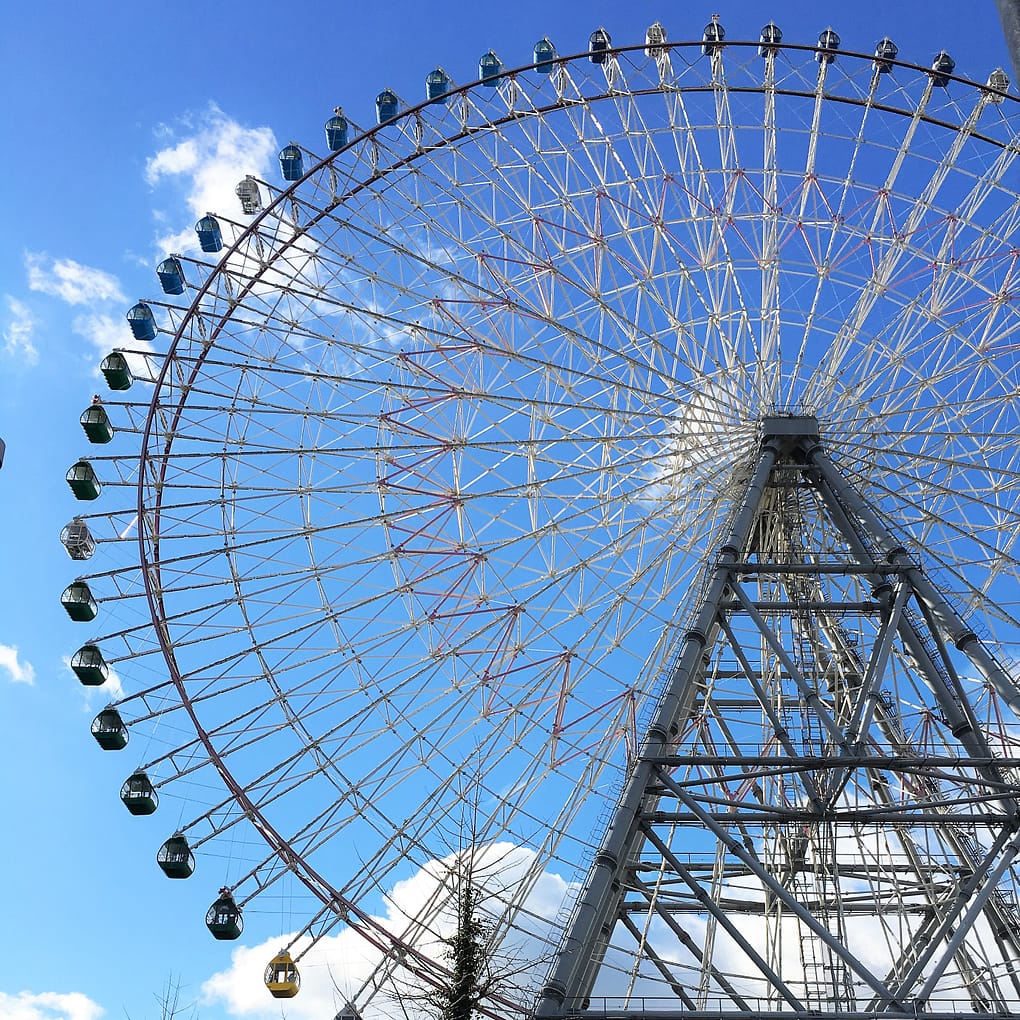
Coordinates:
<point>601,479</point>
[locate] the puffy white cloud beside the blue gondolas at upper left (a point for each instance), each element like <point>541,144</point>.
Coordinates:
<point>208,165</point>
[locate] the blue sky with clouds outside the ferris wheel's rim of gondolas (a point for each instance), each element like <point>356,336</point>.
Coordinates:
<point>119,128</point>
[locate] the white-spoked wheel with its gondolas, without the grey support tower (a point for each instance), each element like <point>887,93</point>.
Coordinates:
<point>400,505</point>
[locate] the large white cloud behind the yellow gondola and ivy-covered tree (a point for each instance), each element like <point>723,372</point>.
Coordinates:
<point>336,966</point>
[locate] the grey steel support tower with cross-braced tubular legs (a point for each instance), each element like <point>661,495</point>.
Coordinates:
<point>819,776</point>
